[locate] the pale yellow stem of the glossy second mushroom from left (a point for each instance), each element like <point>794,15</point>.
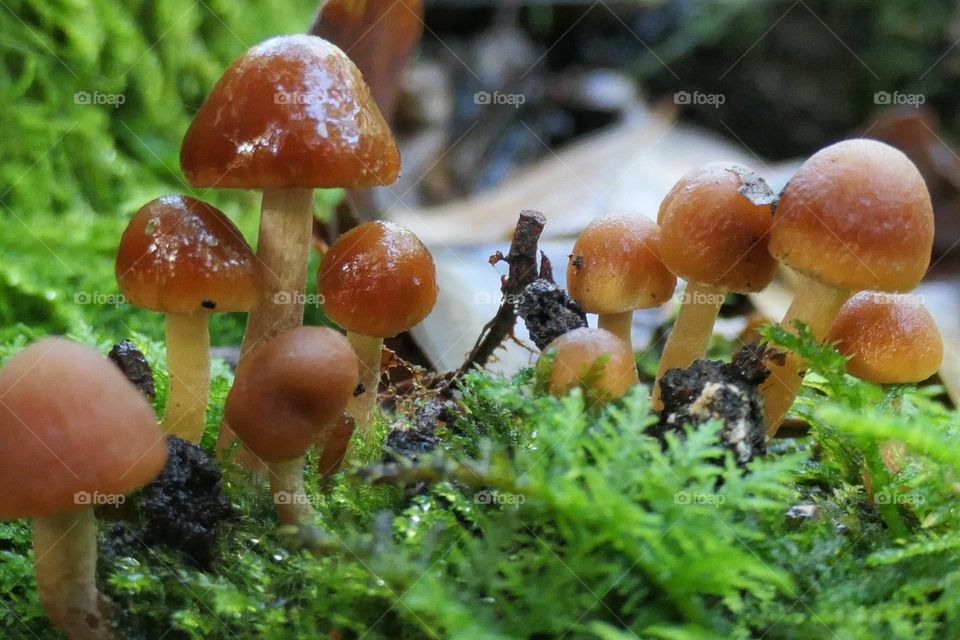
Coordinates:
<point>188,364</point>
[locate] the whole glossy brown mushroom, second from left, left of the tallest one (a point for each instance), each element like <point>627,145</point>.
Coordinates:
<point>184,258</point>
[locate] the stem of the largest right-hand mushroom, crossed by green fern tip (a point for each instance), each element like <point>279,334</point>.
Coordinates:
<point>816,304</point>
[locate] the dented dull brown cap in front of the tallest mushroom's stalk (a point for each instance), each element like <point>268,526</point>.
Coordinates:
<point>289,389</point>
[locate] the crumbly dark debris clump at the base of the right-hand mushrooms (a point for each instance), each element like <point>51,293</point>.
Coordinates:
<point>713,390</point>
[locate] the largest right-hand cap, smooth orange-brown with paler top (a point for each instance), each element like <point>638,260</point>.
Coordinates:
<point>857,216</point>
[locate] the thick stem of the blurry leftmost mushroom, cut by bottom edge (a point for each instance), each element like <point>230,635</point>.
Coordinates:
<point>65,562</point>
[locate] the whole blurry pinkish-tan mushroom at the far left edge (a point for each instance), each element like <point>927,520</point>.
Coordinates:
<point>74,433</point>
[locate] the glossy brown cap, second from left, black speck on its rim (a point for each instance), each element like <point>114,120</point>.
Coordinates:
<point>182,255</point>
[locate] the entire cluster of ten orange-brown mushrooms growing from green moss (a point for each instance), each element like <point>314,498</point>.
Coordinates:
<point>853,223</point>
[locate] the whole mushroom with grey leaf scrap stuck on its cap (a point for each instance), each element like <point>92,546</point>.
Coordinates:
<point>713,233</point>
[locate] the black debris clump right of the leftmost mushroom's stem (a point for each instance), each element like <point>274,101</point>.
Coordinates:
<point>185,506</point>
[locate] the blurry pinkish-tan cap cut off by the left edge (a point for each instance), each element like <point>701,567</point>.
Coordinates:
<point>71,426</point>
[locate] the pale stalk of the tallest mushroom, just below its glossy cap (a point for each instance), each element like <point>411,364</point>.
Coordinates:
<point>283,248</point>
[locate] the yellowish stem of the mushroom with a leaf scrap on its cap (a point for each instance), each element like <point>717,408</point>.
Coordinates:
<point>691,332</point>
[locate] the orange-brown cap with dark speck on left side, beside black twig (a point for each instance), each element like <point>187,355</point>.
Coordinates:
<point>616,267</point>
